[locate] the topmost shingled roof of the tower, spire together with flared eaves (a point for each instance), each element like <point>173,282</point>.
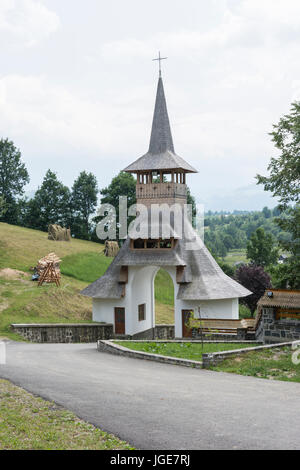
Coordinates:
<point>161,154</point>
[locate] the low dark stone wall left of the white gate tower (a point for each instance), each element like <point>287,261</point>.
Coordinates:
<point>64,333</point>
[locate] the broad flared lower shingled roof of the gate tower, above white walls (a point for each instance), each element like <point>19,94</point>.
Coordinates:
<point>202,279</point>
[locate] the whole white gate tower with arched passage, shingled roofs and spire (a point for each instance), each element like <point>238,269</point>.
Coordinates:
<point>124,295</point>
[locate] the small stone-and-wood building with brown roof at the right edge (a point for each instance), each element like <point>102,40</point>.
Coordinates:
<point>280,312</point>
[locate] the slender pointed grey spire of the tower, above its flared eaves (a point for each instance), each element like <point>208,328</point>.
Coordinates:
<point>161,137</point>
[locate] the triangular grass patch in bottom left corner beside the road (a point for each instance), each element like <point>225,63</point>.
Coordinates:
<point>28,422</point>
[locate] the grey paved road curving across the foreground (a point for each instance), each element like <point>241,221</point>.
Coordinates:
<point>158,406</point>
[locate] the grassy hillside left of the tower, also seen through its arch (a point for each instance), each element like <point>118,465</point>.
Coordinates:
<point>21,300</point>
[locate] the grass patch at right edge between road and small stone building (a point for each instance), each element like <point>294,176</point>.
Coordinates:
<point>274,364</point>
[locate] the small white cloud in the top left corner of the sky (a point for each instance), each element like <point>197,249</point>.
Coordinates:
<point>26,22</point>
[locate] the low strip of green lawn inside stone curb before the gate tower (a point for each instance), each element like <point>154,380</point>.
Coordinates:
<point>192,351</point>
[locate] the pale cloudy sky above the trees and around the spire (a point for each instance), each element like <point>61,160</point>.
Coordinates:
<point>78,84</point>
